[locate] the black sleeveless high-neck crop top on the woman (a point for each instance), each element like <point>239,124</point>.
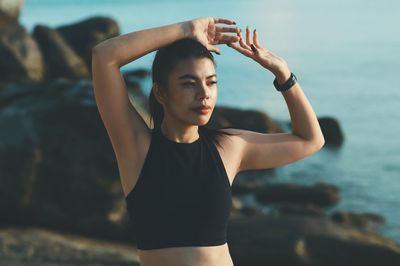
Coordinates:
<point>182,197</point>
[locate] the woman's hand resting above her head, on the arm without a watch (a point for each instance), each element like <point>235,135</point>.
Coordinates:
<point>206,32</point>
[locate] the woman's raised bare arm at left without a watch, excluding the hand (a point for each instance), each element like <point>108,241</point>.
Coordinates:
<point>128,132</point>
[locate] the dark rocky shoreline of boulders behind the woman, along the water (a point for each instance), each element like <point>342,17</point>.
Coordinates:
<point>61,200</point>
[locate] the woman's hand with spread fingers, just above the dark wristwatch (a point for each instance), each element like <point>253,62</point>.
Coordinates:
<point>254,50</point>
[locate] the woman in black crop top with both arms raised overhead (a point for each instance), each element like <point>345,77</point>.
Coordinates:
<point>176,181</point>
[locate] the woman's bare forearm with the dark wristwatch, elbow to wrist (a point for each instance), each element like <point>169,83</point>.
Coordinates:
<point>303,118</point>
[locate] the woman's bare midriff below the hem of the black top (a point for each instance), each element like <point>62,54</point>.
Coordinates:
<point>187,256</point>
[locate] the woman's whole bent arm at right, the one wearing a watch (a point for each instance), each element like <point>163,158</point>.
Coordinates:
<point>262,151</point>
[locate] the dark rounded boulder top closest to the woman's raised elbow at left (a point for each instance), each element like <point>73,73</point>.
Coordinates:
<point>83,35</point>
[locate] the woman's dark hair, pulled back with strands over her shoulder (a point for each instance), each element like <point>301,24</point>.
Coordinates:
<point>165,60</point>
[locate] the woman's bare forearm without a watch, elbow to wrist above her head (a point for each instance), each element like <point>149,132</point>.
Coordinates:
<point>125,48</point>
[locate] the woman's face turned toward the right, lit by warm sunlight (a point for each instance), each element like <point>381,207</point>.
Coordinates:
<point>191,84</point>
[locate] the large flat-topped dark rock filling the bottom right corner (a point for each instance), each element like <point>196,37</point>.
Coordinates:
<point>306,240</point>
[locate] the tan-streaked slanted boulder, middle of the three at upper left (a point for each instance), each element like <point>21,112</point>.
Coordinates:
<point>61,60</point>
